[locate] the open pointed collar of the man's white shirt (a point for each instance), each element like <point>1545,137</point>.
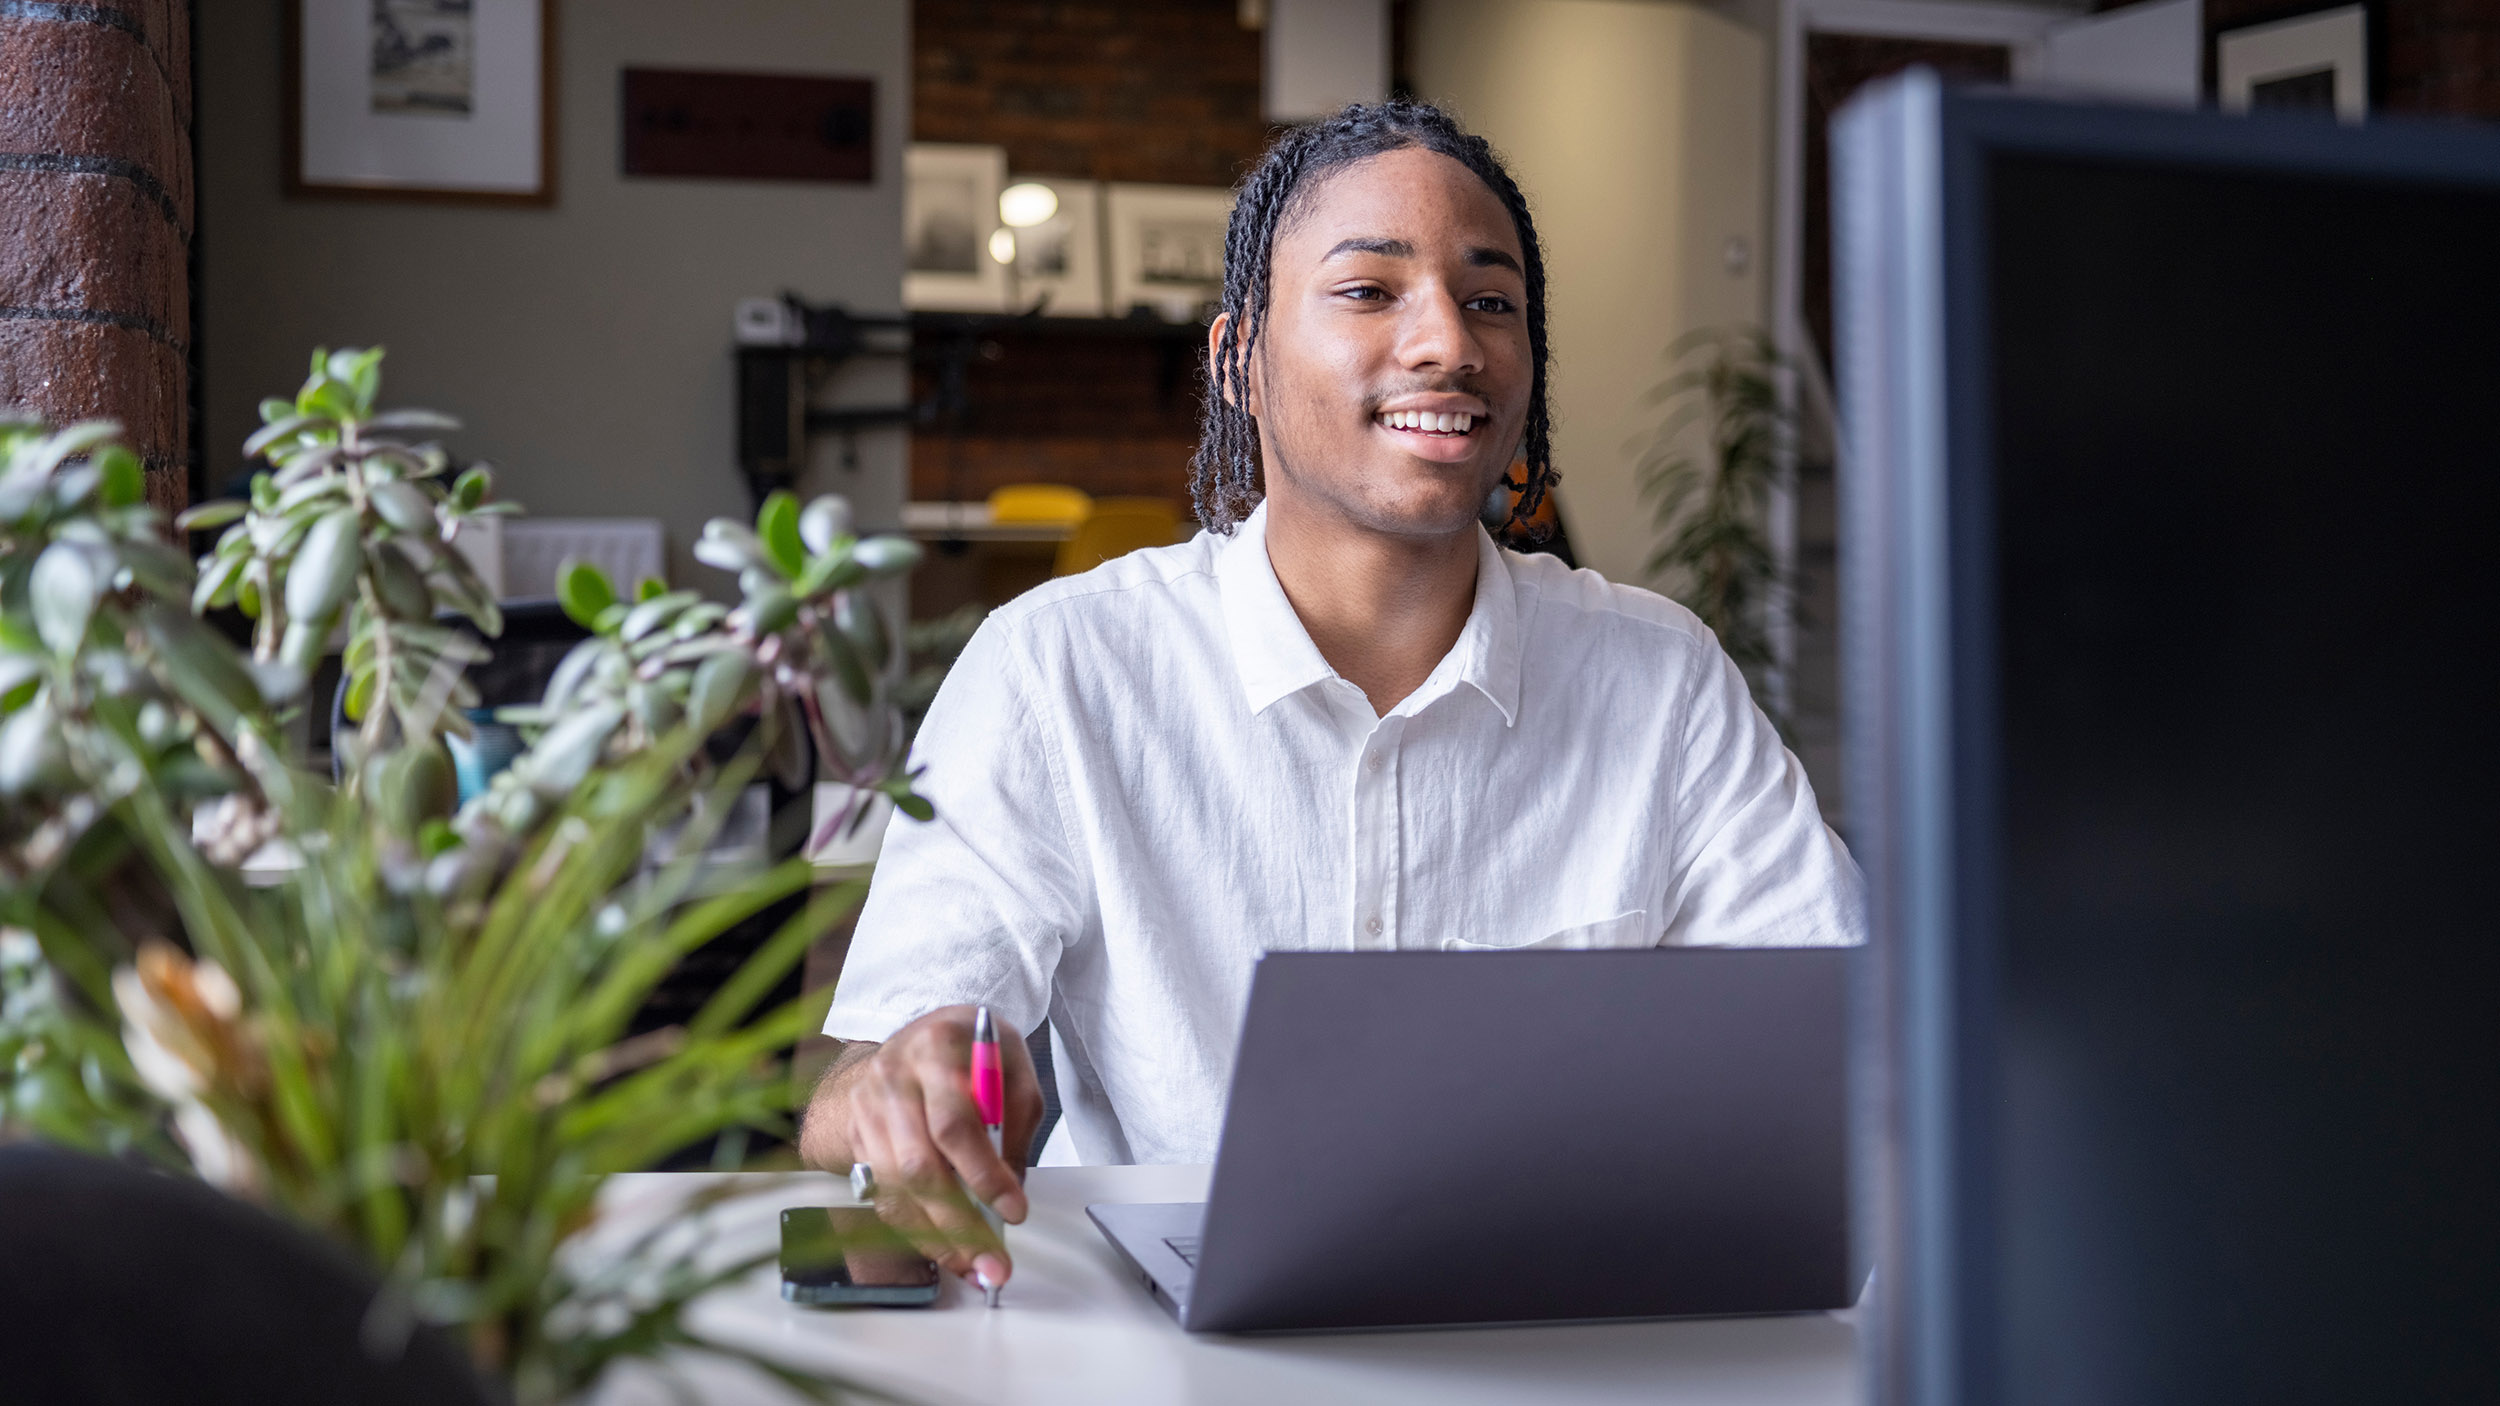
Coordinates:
<point>1274,652</point>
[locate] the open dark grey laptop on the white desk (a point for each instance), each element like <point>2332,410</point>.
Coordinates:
<point>1431,1140</point>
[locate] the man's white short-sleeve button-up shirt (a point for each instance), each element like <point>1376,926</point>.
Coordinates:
<point>1146,777</point>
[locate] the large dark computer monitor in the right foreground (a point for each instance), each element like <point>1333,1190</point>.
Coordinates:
<point>2171,494</point>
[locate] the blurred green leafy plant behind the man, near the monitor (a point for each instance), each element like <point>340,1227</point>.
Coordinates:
<point>1714,499</point>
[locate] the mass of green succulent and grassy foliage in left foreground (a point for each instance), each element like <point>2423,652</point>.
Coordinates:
<point>414,1037</point>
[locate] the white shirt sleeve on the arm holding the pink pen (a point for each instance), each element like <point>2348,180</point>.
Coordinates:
<point>976,904</point>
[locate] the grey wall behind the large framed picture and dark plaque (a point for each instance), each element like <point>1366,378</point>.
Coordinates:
<point>586,346</point>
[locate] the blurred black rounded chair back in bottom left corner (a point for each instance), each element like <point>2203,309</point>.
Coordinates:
<point>139,1287</point>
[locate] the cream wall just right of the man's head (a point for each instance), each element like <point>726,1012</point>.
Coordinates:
<point>1639,134</point>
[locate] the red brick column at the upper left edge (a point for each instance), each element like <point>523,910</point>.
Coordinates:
<point>96,221</point>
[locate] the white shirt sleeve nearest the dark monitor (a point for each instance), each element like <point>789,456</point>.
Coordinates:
<point>1756,864</point>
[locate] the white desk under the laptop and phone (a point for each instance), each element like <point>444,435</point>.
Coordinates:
<point>1079,1330</point>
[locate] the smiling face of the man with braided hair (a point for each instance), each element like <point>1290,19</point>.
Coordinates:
<point>1391,382</point>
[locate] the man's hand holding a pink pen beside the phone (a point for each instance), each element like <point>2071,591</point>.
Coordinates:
<point>906,1110</point>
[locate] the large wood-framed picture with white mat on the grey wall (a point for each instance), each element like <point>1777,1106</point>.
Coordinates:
<point>421,101</point>
